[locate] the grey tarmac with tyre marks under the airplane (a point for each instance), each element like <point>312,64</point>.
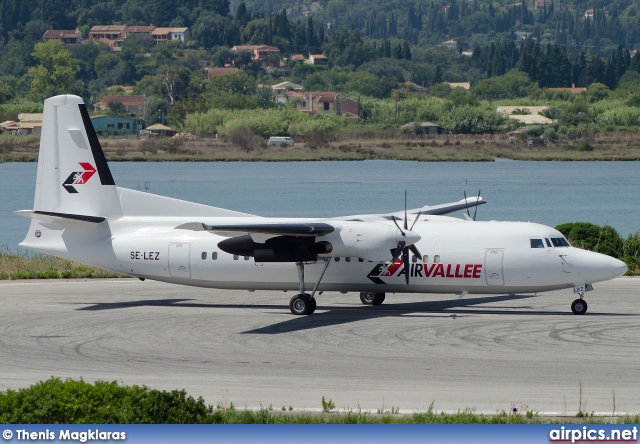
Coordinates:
<point>484,353</point>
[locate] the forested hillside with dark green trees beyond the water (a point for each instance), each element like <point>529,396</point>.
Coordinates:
<point>387,55</point>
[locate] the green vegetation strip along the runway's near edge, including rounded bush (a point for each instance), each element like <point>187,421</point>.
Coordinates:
<point>78,402</point>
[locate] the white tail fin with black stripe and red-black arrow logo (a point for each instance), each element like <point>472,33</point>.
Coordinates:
<point>73,175</point>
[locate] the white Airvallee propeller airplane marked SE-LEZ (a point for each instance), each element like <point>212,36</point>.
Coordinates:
<point>80,214</point>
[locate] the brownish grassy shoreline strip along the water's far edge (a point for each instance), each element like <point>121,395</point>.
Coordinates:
<point>441,148</point>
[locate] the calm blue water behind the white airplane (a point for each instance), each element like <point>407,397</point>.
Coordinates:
<point>547,192</point>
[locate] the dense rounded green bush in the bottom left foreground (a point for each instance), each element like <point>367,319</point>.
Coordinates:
<point>77,402</point>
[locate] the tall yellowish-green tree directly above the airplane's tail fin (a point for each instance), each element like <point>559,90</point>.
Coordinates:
<point>56,73</point>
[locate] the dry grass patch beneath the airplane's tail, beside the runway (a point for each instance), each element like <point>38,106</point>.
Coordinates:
<point>23,265</point>
